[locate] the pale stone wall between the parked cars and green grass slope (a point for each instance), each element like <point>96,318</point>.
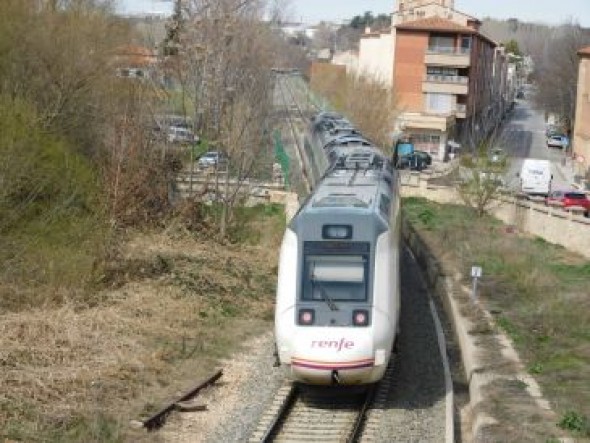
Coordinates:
<point>555,225</point>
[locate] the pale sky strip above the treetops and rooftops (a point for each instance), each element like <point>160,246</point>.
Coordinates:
<point>551,12</point>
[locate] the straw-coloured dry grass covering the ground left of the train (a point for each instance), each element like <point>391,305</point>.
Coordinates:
<point>73,374</point>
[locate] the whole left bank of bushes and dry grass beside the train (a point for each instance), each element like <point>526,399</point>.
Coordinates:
<point>111,298</point>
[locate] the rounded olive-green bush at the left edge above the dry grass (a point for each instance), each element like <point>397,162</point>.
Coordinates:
<point>51,224</point>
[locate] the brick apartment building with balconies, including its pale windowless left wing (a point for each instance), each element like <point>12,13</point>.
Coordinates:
<point>452,84</point>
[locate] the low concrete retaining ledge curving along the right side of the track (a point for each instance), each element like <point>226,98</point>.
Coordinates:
<point>488,357</point>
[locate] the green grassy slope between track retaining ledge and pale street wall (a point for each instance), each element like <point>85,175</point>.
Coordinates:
<point>538,291</point>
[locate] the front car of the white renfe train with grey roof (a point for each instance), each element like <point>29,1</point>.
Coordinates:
<point>337,306</point>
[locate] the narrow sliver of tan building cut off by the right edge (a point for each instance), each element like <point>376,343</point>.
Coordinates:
<point>581,141</point>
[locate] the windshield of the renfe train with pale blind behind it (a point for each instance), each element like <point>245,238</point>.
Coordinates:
<point>335,278</point>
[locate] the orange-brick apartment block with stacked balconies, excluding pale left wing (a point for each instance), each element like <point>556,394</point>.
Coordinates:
<point>448,80</point>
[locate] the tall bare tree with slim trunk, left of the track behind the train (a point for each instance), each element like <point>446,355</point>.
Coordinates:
<point>227,60</point>
